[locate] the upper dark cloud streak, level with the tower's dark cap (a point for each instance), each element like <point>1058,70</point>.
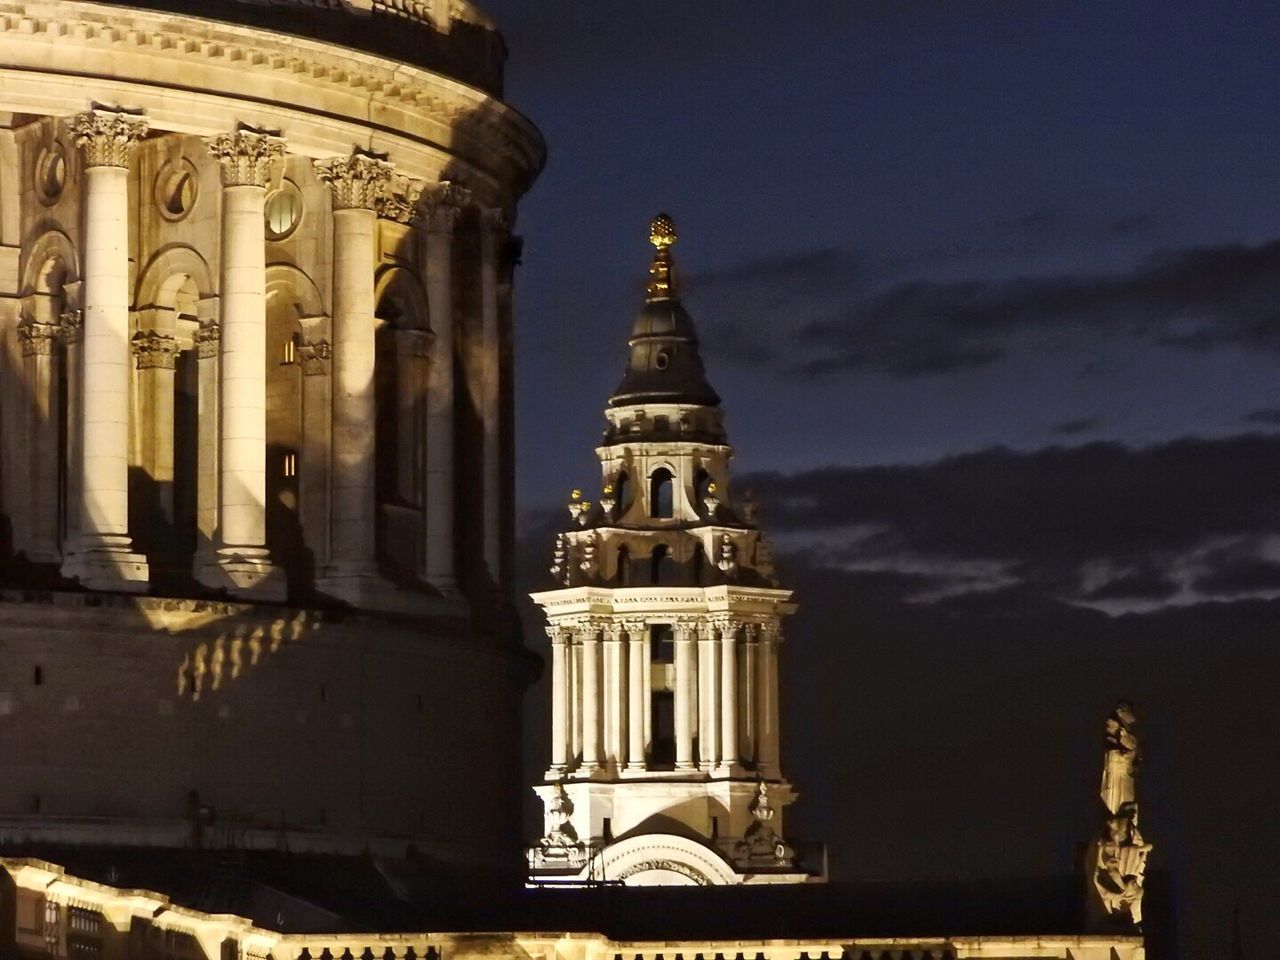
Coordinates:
<point>828,312</point>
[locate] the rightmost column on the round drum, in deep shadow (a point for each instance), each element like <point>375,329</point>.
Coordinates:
<point>496,235</point>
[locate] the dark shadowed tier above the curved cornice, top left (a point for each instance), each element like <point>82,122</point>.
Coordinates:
<point>455,39</point>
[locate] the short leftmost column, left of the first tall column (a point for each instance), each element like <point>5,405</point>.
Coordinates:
<point>39,342</point>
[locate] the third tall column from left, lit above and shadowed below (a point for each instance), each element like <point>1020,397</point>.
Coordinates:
<point>359,185</point>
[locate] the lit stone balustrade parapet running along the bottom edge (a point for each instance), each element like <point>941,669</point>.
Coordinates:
<point>52,916</point>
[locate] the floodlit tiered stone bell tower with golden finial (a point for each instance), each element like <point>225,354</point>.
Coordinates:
<point>665,630</point>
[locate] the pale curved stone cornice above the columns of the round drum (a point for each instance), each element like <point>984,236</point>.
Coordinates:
<point>195,76</point>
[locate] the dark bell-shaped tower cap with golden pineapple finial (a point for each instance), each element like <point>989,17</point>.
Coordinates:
<point>665,365</point>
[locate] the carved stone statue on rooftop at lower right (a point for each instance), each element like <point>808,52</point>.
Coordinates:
<point>1119,857</point>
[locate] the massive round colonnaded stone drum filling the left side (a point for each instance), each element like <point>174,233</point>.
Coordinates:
<point>255,318</point>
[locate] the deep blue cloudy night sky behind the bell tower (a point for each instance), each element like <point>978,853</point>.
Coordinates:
<point>993,295</point>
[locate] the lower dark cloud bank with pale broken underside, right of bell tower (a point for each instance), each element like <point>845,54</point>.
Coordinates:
<point>1095,523</point>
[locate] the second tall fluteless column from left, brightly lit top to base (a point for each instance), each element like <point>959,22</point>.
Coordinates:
<point>248,158</point>
